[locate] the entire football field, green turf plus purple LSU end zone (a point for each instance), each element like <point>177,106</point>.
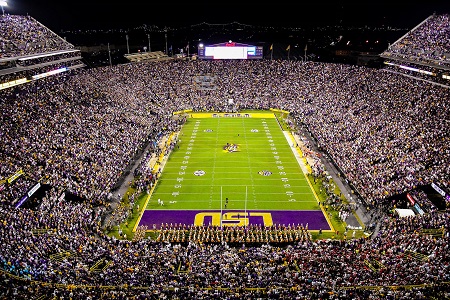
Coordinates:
<point>233,169</point>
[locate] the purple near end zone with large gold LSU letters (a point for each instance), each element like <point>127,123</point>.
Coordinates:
<point>314,218</point>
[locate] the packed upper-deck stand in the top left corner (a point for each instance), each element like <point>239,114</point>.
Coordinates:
<point>29,51</point>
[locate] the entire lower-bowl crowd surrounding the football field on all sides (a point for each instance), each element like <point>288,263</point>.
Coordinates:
<point>78,132</point>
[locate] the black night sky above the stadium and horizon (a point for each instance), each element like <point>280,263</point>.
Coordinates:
<point>83,14</point>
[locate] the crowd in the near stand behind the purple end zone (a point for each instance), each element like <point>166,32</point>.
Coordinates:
<point>60,246</point>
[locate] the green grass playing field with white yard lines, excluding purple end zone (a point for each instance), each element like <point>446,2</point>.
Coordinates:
<point>262,173</point>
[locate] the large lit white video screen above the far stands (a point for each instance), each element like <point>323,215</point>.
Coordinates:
<point>230,50</point>
